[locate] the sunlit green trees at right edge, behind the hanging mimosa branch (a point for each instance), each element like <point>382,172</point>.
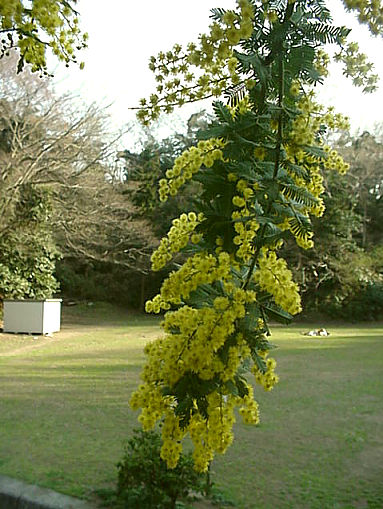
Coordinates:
<point>342,274</point>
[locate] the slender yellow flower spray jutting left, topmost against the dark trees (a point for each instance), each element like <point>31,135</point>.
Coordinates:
<point>189,163</point>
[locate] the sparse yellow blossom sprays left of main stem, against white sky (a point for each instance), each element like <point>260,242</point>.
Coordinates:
<point>212,58</point>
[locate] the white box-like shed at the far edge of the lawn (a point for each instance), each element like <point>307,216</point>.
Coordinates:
<point>32,316</point>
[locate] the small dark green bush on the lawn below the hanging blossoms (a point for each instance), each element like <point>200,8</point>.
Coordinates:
<point>144,481</point>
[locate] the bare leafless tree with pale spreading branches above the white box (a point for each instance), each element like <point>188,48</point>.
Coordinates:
<point>56,144</point>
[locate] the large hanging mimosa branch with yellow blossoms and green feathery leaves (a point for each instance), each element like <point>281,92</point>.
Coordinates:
<point>260,167</point>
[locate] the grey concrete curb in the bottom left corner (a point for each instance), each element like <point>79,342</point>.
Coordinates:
<point>16,494</point>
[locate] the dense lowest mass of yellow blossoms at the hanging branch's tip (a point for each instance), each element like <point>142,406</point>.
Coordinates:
<point>191,345</point>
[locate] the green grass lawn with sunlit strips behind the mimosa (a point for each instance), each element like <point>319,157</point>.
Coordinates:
<point>64,413</point>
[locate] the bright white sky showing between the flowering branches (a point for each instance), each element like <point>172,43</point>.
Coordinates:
<point>125,33</point>
